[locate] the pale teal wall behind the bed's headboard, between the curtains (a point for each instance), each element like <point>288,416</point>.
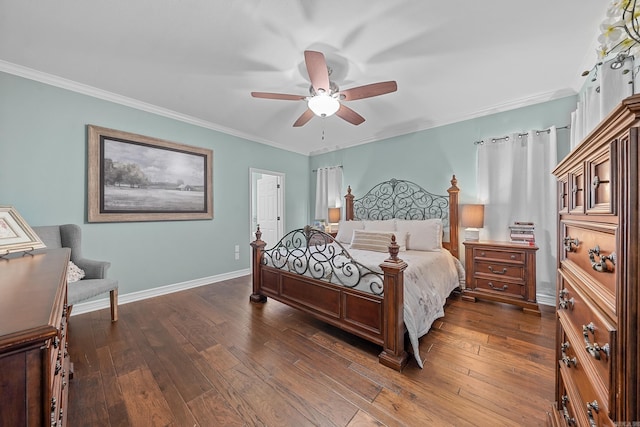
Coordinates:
<point>432,156</point>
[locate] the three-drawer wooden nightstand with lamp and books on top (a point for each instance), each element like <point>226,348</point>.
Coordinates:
<point>503,272</point>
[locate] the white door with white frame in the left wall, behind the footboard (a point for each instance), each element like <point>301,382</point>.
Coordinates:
<point>267,205</point>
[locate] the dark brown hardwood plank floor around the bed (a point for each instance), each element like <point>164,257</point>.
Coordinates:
<point>209,357</point>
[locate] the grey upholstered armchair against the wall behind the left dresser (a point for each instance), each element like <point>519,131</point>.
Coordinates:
<point>95,281</point>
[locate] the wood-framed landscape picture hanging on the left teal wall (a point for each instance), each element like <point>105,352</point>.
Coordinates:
<point>138,178</point>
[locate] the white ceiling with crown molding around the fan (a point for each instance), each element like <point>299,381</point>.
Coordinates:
<point>198,60</point>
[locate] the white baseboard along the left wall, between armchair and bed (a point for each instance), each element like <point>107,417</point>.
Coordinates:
<point>89,306</point>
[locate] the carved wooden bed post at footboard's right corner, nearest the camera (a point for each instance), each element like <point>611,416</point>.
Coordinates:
<point>393,353</point>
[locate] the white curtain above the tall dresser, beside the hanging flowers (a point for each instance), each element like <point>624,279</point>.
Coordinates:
<point>604,90</point>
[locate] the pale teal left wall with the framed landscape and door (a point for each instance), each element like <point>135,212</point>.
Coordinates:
<point>43,175</point>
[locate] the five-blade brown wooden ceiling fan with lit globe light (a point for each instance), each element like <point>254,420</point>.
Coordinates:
<point>325,96</point>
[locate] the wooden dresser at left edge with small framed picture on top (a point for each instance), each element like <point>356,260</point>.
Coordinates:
<point>34,362</point>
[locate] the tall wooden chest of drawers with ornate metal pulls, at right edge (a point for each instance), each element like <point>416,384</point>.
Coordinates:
<point>597,373</point>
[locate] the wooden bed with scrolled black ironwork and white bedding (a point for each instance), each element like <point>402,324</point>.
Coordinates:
<point>375,278</point>
